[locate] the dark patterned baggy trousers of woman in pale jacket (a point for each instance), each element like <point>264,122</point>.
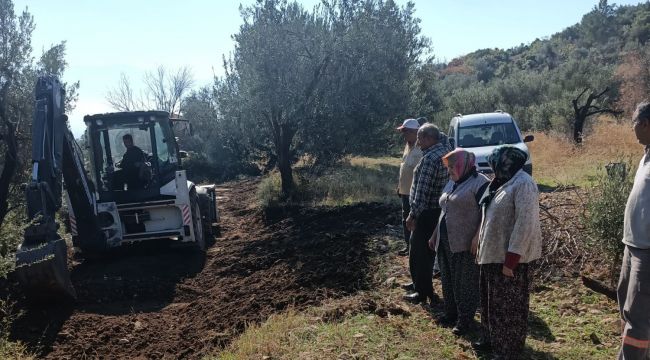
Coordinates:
<point>504,309</point>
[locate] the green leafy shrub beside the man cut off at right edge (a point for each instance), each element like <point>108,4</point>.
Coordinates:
<point>606,207</point>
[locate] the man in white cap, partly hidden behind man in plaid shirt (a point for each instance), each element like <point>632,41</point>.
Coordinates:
<point>410,158</point>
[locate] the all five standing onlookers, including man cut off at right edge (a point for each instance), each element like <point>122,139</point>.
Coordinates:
<point>485,232</point>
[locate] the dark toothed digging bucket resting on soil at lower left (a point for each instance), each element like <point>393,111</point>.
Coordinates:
<point>42,271</point>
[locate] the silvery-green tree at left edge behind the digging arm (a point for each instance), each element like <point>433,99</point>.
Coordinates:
<point>18,72</point>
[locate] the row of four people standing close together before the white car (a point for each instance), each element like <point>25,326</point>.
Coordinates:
<point>484,233</point>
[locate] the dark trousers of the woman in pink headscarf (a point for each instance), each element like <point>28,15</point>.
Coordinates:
<point>459,278</point>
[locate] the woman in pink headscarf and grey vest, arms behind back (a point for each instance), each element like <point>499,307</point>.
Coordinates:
<point>458,226</point>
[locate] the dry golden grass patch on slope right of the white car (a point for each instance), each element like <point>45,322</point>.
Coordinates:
<point>556,161</point>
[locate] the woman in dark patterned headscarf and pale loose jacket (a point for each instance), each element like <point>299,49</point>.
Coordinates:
<point>510,238</point>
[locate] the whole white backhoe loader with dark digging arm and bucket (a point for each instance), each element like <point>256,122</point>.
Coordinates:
<point>110,203</point>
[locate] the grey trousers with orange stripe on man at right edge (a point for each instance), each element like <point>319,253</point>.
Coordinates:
<point>634,303</point>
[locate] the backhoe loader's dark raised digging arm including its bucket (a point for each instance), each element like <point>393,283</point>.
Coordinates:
<point>41,260</point>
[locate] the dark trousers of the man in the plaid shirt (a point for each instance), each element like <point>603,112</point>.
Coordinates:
<point>420,256</point>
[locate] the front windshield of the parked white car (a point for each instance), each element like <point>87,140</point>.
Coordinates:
<point>487,135</point>
